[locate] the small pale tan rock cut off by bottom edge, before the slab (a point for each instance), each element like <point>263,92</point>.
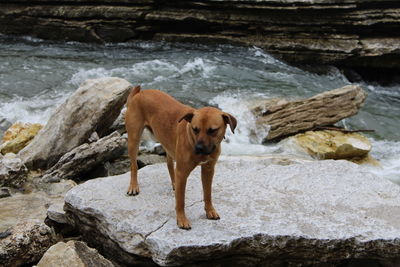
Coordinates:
<point>73,253</point>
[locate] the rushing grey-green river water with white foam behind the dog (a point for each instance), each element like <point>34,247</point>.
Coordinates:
<point>36,76</point>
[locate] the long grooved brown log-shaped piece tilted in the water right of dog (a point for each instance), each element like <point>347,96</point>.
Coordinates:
<point>288,118</point>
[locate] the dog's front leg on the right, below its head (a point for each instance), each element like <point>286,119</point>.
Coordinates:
<point>207,174</point>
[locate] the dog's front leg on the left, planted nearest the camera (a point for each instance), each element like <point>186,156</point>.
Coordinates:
<point>181,174</point>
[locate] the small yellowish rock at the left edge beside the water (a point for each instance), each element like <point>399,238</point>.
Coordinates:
<point>18,136</point>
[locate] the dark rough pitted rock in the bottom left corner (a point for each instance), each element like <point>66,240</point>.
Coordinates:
<point>25,243</point>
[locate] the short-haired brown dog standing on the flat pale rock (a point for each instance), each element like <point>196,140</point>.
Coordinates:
<point>190,137</point>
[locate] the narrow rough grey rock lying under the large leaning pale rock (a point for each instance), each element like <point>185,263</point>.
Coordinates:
<point>83,158</point>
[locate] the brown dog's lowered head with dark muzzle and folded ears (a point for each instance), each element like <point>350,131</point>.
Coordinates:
<point>207,128</point>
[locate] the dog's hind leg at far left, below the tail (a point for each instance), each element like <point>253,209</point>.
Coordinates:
<point>134,125</point>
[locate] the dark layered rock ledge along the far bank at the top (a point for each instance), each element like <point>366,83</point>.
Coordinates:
<point>362,34</point>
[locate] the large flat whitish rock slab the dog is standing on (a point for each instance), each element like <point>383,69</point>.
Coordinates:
<point>314,213</point>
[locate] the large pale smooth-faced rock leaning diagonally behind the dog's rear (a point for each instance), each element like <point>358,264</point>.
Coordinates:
<point>92,108</point>
